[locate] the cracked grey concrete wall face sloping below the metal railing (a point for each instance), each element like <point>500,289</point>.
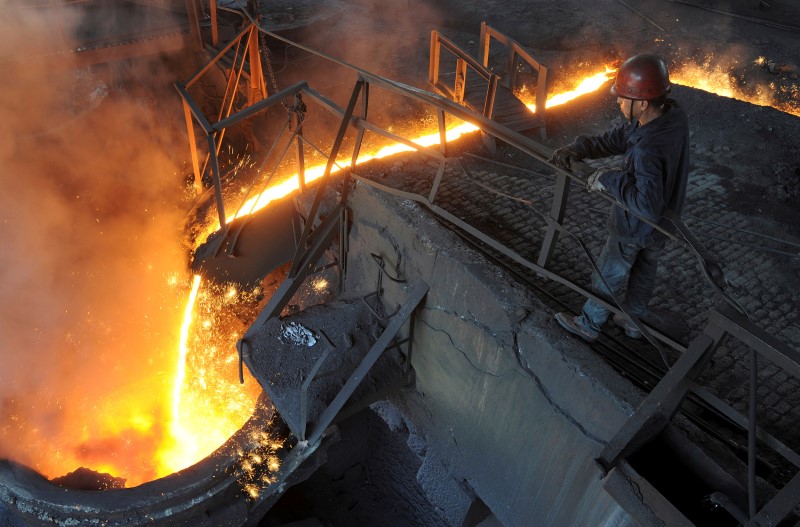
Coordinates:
<point>489,420</point>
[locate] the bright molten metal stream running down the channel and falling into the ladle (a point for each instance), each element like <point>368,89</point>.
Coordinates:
<point>207,406</point>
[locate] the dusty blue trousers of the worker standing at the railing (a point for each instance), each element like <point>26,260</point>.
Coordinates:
<point>619,261</point>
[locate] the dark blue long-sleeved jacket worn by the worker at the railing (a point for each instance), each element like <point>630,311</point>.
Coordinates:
<point>655,173</point>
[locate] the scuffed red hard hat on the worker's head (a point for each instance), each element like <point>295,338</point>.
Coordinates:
<point>642,77</point>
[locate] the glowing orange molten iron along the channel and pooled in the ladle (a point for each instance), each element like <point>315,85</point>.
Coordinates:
<point>202,403</point>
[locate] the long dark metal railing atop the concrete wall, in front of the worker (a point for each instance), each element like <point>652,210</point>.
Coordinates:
<point>665,399</point>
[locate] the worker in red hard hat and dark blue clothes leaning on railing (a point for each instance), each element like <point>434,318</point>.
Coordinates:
<point>654,142</point>
